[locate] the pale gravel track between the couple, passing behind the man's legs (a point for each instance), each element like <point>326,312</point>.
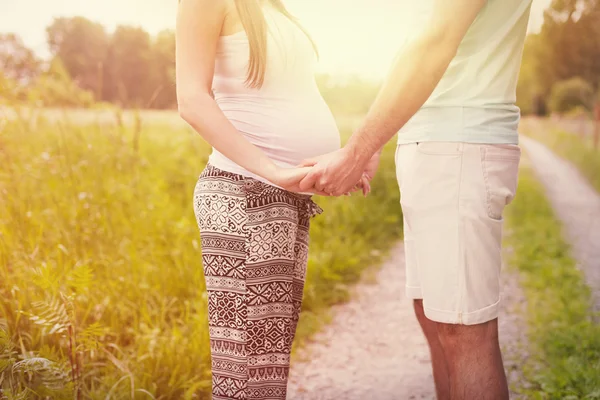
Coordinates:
<point>373,348</point>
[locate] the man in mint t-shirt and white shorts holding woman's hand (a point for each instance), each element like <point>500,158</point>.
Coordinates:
<point>451,94</point>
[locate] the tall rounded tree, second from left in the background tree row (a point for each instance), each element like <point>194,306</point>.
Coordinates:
<point>82,46</point>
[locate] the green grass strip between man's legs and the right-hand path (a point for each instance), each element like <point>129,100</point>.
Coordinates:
<point>565,342</point>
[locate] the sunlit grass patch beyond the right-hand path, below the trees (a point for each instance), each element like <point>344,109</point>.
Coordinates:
<point>571,147</point>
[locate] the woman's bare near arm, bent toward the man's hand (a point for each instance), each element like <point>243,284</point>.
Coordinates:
<point>199,24</point>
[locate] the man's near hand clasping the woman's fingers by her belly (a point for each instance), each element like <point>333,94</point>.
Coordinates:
<point>335,173</point>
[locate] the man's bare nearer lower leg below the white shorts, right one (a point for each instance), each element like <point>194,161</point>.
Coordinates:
<point>474,361</point>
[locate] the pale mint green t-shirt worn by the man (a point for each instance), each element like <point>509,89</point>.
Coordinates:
<point>475,100</point>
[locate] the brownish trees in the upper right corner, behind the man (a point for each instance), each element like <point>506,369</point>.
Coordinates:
<point>561,64</point>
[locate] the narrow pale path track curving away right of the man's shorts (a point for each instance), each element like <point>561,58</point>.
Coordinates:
<point>576,204</point>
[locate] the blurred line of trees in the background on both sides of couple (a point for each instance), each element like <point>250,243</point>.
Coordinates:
<point>129,67</point>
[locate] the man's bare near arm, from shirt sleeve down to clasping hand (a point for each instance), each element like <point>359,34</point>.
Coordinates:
<point>415,74</point>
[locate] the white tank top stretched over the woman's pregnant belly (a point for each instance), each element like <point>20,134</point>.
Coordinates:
<point>287,117</point>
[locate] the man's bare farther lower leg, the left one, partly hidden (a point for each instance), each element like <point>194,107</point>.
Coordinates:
<point>438,358</point>
